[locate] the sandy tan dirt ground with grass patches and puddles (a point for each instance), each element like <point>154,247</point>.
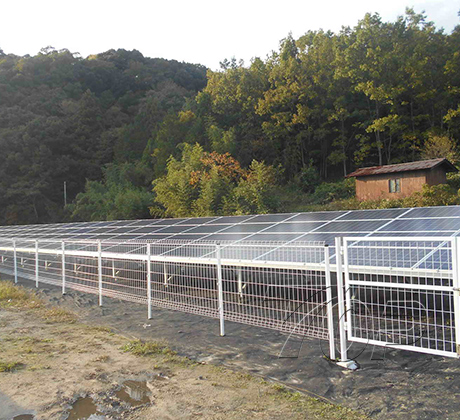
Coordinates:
<point>53,366</point>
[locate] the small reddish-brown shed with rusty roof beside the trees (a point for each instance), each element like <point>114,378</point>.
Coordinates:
<point>400,180</point>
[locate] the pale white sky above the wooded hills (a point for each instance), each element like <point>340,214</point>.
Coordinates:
<point>195,31</point>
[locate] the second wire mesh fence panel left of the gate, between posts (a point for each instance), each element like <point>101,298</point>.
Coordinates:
<point>187,287</point>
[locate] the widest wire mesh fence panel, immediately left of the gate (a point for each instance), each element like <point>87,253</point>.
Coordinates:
<point>287,300</point>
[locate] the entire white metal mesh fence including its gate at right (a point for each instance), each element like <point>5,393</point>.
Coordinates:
<point>398,292</point>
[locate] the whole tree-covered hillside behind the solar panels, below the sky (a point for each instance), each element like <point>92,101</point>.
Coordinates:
<point>147,137</point>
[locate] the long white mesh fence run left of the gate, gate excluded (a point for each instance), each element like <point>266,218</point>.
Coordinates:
<point>282,286</point>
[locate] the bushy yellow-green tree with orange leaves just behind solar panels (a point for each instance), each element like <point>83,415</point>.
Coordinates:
<point>209,183</point>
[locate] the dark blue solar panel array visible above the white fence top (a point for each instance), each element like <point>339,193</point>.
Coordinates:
<point>290,227</point>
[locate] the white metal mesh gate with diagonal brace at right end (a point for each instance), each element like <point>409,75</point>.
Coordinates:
<point>401,293</point>
